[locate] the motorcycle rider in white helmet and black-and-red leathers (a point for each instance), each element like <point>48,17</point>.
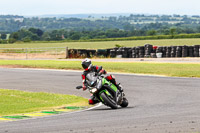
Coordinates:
<point>87,65</point>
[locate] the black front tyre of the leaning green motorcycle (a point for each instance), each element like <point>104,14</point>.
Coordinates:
<point>108,101</point>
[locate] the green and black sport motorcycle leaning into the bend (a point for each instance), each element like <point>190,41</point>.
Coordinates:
<point>104,91</point>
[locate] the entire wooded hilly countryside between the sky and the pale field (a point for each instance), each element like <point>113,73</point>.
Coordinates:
<point>19,28</point>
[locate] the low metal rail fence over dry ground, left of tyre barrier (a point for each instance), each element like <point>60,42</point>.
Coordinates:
<point>33,53</point>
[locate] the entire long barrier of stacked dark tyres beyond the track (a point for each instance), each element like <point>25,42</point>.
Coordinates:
<point>146,51</point>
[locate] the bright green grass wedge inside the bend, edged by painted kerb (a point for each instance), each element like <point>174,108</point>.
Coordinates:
<point>17,102</point>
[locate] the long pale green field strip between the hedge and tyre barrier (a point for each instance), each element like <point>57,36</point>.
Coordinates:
<point>105,44</point>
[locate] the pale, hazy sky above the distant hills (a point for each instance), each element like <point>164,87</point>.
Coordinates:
<point>44,7</point>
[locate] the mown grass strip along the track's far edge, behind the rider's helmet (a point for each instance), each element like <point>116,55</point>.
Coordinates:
<point>167,69</point>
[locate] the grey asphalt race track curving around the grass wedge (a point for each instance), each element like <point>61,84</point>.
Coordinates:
<point>156,104</point>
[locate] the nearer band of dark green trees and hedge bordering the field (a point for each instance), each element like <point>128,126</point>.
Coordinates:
<point>34,34</point>
